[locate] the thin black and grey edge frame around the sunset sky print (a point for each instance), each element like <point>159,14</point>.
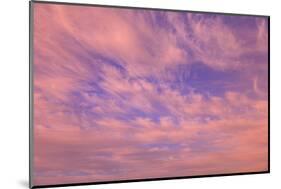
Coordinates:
<point>129,180</point>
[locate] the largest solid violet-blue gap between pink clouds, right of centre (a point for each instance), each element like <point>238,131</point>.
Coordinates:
<point>201,78</point>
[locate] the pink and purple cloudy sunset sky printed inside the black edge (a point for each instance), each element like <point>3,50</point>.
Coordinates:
<point>135,94</point>
